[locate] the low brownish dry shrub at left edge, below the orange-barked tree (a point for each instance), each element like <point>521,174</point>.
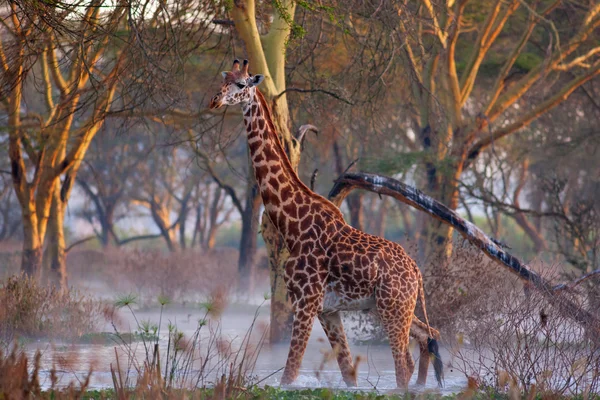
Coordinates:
<point>32,310</point>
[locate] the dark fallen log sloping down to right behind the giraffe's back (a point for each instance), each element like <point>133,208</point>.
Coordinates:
<point>415,198</point>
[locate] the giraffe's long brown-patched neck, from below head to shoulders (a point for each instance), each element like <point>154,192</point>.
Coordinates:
<point>284,195</point>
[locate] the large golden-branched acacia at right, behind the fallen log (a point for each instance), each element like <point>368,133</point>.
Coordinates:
<point>454,119</point>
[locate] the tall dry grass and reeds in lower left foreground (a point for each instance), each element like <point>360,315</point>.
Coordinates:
<point>205,365</point>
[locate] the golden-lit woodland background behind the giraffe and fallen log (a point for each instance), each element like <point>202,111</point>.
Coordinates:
<point>108,148</point>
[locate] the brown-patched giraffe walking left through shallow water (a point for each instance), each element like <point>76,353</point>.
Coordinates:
<point>332,267</point>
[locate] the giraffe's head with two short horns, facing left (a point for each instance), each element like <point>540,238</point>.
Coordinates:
<point>238,86</point>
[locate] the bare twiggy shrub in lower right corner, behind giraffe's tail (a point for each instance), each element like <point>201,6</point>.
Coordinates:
<point>526,345</point>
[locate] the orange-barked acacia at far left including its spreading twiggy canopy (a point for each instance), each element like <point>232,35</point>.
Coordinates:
<point>80,56</point>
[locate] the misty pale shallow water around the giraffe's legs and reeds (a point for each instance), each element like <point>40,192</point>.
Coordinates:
<point>376,371</point>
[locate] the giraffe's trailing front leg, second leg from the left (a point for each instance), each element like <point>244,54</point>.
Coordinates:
<point>332,325</point>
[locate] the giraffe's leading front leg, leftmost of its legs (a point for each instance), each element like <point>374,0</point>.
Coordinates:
<point>301,329</point>
